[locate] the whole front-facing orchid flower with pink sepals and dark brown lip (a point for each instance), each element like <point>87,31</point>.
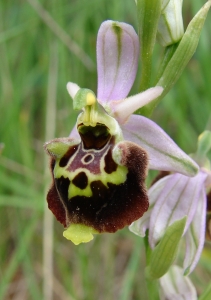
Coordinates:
<point>99,171</point>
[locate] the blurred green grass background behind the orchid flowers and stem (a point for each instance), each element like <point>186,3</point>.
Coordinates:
<point>43,45</point>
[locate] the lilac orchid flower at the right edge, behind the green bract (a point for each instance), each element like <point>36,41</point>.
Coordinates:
<point>174,197</point>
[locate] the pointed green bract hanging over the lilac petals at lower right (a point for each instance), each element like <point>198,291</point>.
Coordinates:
<point>165,252</point>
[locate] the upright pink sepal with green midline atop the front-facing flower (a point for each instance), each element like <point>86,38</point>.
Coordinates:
<point>117,60</point>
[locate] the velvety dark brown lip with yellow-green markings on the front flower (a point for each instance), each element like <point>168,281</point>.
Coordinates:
<point>101,202</point>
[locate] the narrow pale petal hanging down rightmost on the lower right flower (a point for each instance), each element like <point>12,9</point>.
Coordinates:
<point>195,235</point>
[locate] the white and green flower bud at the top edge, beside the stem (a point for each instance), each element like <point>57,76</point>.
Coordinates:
<point>170,26</point>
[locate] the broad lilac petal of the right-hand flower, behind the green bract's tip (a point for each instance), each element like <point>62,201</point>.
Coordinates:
<point>178,198</point>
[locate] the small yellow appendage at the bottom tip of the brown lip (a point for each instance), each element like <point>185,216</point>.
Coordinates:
<point>79,233</point>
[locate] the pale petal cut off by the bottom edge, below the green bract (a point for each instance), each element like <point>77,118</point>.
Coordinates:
<point>175,286</point>
